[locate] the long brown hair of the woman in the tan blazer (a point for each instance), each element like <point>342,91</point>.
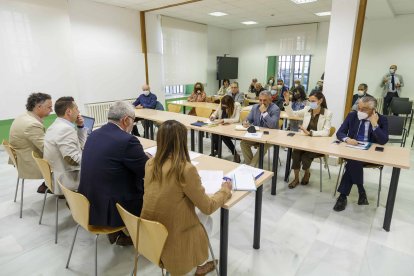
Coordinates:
<point>171,144</point>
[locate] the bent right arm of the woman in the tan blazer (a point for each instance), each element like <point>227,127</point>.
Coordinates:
<point>195,191</point>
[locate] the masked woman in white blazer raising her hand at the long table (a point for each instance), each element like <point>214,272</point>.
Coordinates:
<point>316,122</point>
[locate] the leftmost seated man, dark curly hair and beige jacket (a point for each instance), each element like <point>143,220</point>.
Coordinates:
<point>27,134</point>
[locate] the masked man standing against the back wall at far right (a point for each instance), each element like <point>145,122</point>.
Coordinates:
<point>391,84</point>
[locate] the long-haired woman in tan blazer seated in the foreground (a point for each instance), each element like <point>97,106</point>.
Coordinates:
<point>172,191</point>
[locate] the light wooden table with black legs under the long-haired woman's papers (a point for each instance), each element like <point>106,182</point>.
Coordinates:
<point>211,163</point>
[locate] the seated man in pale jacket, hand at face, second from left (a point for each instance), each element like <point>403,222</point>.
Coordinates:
<point>64,143</point>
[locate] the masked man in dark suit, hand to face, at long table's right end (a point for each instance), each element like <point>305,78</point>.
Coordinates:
<point>364,125</point>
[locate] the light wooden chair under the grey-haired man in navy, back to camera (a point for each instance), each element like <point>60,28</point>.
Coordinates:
<point>79,207</point>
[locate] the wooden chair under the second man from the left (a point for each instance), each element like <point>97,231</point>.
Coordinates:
<point>47,174</point>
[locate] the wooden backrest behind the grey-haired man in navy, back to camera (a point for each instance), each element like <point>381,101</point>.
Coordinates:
<point>79,206</point>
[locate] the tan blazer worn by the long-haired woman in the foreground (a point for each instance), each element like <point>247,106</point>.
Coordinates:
<point>173,204</point>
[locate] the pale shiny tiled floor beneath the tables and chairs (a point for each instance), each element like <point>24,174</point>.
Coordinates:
<point>300,233</point>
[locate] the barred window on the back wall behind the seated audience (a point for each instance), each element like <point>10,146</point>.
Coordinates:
<point>290,68</point>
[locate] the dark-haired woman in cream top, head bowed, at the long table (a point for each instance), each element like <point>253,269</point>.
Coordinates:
<point>228,112</point>
